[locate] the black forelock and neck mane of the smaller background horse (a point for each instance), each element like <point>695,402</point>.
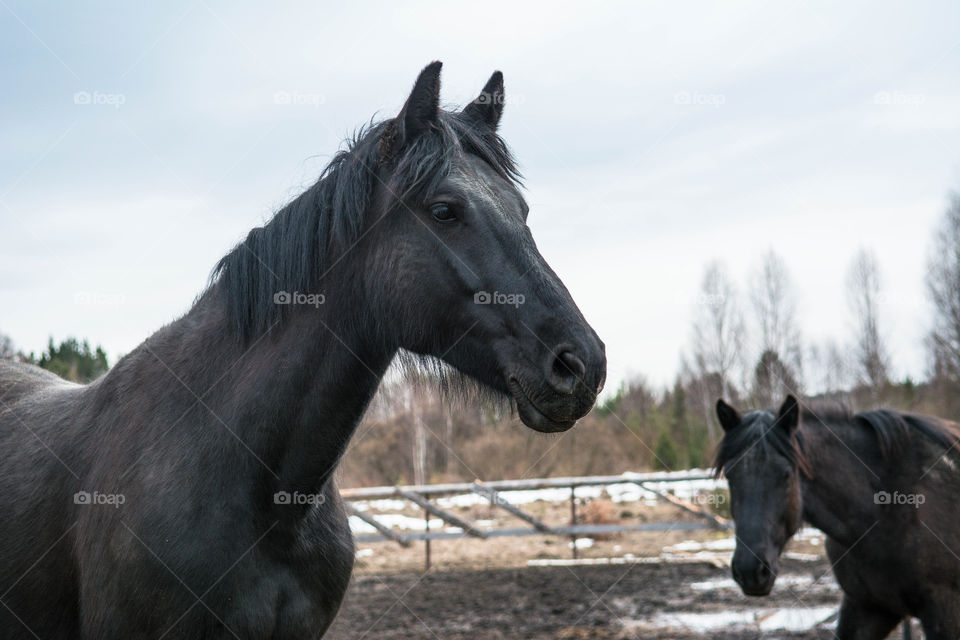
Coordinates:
<point>894,432</point>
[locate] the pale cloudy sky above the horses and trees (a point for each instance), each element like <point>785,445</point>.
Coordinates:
<point>139,142</point>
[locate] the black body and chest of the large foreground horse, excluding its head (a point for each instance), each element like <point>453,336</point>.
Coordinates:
<point>196,548</point>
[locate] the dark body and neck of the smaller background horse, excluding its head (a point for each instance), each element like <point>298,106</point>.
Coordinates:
<point>891,560</point>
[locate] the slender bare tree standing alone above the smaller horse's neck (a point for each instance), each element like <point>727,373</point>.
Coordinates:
<point>863,294</point>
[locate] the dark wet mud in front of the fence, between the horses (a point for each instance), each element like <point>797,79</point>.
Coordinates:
<point>580,602</point>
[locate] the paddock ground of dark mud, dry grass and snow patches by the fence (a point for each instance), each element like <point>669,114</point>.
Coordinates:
<point>488,590</point>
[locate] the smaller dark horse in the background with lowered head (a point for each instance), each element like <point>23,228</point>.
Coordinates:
<point>884,487</point>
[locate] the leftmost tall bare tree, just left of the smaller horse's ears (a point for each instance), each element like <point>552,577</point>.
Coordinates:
<point>718,333</point>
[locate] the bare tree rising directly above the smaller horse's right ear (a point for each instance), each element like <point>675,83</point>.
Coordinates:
<point>779,366</point>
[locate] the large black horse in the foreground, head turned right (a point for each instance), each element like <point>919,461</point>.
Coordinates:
<point>187,493</point>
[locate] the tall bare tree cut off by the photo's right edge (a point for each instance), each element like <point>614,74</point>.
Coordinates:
<point>943,287</point>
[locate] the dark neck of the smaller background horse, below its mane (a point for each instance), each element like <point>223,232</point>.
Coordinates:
<point>838,493</point>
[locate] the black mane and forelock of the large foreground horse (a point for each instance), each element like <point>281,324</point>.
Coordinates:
<point>291,251</point>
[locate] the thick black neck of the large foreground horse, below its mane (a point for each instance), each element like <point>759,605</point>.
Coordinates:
<point>287,401</point>
